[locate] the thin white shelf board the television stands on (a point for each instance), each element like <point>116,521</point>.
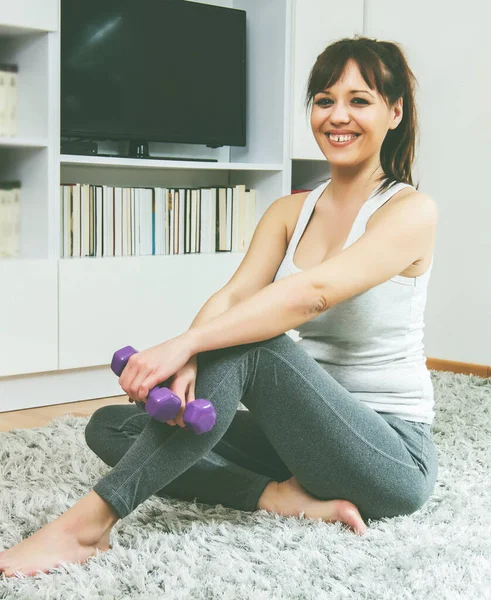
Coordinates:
<point>143,163</point>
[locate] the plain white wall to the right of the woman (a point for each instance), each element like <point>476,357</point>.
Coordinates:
<point>449,50</point>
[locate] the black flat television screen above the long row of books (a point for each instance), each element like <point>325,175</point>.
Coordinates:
<point>153,70</point>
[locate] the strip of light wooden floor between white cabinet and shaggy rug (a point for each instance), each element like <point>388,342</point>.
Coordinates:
<point>38,417</point>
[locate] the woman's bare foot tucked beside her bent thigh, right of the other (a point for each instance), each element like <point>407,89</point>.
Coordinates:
<point>290,499</point>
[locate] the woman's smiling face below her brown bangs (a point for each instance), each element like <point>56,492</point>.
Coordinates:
<point>364,113</point>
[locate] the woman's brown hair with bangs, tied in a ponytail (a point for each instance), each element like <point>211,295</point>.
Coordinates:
<point>383,66</point>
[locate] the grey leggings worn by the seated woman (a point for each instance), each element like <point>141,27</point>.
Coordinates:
<point>300,421</point>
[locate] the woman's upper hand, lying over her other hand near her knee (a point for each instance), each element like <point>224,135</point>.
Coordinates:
<point>144,370</point>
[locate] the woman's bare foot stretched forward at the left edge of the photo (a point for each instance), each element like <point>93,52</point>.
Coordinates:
<point>73,537</point>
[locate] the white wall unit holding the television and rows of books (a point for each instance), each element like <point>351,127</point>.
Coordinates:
<point>63,318</point>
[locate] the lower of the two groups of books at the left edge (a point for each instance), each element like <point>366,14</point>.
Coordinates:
<point>9,219</point>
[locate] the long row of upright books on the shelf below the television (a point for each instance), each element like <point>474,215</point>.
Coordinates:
<point>100,220</point>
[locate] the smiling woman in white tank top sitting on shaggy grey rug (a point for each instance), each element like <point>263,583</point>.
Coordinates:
<point>339,423</point>
